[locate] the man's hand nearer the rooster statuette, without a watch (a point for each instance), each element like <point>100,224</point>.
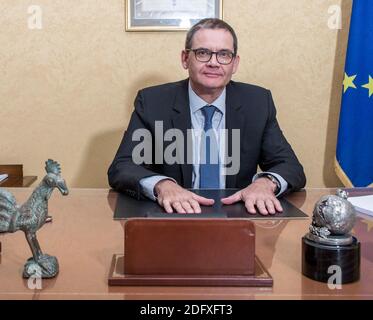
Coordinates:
<point>173,197</point>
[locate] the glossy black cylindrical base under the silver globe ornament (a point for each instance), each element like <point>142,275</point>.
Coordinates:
<point>318,258</point>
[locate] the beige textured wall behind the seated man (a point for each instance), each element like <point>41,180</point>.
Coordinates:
<point>66,91</point>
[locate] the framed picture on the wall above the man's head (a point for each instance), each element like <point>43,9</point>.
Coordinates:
<point>169,15</point>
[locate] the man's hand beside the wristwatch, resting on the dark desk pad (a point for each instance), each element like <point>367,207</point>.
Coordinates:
<point>260,194</point>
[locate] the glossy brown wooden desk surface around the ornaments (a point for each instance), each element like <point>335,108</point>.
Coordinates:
<point>84,237</point>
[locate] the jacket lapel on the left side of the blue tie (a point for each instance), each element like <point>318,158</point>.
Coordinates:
<point>181,120</point>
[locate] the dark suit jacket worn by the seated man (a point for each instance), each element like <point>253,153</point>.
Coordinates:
<point>248,108</point>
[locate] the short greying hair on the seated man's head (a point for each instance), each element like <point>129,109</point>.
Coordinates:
<point>210,23</point>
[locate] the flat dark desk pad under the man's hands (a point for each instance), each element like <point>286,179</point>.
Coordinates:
<point>128,207</point>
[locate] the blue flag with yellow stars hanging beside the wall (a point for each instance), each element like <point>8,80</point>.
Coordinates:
<point>354,157</point>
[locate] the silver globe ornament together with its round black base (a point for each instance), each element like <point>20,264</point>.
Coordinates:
<point>329,242</point>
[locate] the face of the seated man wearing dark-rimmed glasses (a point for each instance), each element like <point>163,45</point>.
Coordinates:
<point>210,76</point>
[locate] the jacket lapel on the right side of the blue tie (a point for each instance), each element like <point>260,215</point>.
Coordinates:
<point>233,120</point>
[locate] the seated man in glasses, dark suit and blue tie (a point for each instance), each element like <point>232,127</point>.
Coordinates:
<point>208,100</point>
